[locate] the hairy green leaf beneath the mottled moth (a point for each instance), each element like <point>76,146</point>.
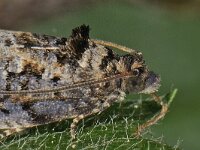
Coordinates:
<point>113,129</point>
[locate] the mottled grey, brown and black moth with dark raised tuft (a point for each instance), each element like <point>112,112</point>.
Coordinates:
<point>44,79</point>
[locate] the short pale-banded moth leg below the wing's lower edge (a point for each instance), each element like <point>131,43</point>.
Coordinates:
<point>73,126</point>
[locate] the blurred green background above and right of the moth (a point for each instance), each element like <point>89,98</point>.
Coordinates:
<point>169,41</point>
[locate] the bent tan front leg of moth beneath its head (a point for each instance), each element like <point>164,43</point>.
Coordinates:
<point>154,119</point>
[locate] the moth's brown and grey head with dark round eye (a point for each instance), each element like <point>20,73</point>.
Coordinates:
<point>141,80</point>
